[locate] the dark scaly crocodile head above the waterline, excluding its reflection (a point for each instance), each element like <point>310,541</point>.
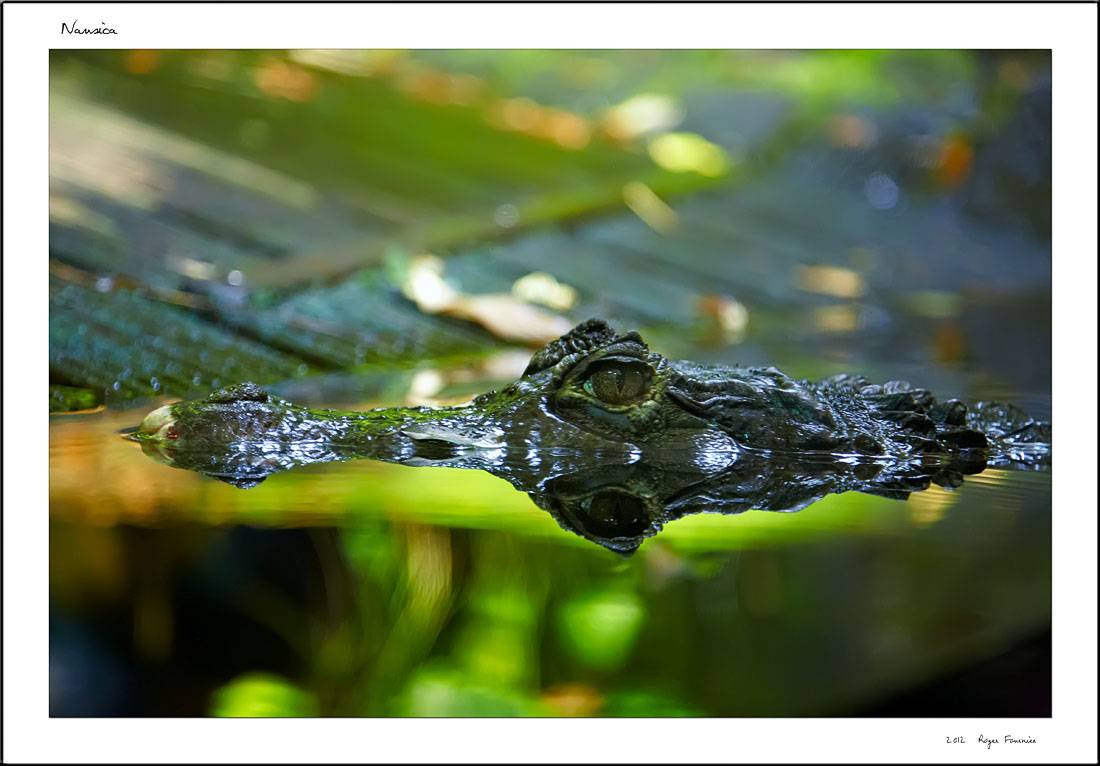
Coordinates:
<point>592,392</point>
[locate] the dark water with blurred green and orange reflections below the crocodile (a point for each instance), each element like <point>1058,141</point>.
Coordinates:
<point>367,588</point>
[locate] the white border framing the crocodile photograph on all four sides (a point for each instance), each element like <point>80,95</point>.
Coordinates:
<point>31,31</point>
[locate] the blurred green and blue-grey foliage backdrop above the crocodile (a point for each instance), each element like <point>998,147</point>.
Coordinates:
<point>259,179</point>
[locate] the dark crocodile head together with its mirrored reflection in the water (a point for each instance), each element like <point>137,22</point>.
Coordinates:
<point>599,406</point>
